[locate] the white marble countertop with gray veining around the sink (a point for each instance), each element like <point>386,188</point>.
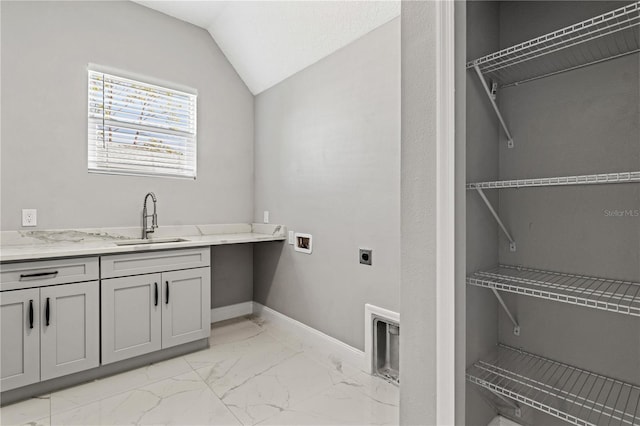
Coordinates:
<point>47,244</point>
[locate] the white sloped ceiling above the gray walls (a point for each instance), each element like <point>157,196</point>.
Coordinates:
<point>268,41</point>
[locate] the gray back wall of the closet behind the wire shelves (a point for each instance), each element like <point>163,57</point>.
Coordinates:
<point>582,122</point>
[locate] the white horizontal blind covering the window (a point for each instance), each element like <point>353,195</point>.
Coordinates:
<point>136,128</point>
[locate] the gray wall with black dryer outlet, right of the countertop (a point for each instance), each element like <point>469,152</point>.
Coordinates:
<point>327,162</point>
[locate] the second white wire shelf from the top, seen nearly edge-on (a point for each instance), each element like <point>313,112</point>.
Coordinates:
<point>624,177</point>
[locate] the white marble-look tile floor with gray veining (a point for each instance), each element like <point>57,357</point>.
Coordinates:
<point>253,373</point>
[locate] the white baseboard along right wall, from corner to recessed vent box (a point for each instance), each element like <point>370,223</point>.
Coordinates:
<point>317,339</point>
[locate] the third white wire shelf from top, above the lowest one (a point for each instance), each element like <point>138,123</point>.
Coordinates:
<point>622,297</point>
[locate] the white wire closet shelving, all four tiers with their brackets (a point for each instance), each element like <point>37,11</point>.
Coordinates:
<point>575,395</point>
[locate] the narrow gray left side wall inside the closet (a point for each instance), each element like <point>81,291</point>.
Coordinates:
<point>482,237</point>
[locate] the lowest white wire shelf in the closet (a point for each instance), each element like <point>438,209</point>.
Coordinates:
<point>577,396</point>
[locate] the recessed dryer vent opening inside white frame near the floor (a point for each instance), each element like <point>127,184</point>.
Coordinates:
<point>386,349</point>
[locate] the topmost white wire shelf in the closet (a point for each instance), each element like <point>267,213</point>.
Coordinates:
<point>604,37</point>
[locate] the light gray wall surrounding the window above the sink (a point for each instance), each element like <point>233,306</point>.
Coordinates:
<point>46,47</point>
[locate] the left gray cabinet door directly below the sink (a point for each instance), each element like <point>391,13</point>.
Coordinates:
<point>130,316</point>
